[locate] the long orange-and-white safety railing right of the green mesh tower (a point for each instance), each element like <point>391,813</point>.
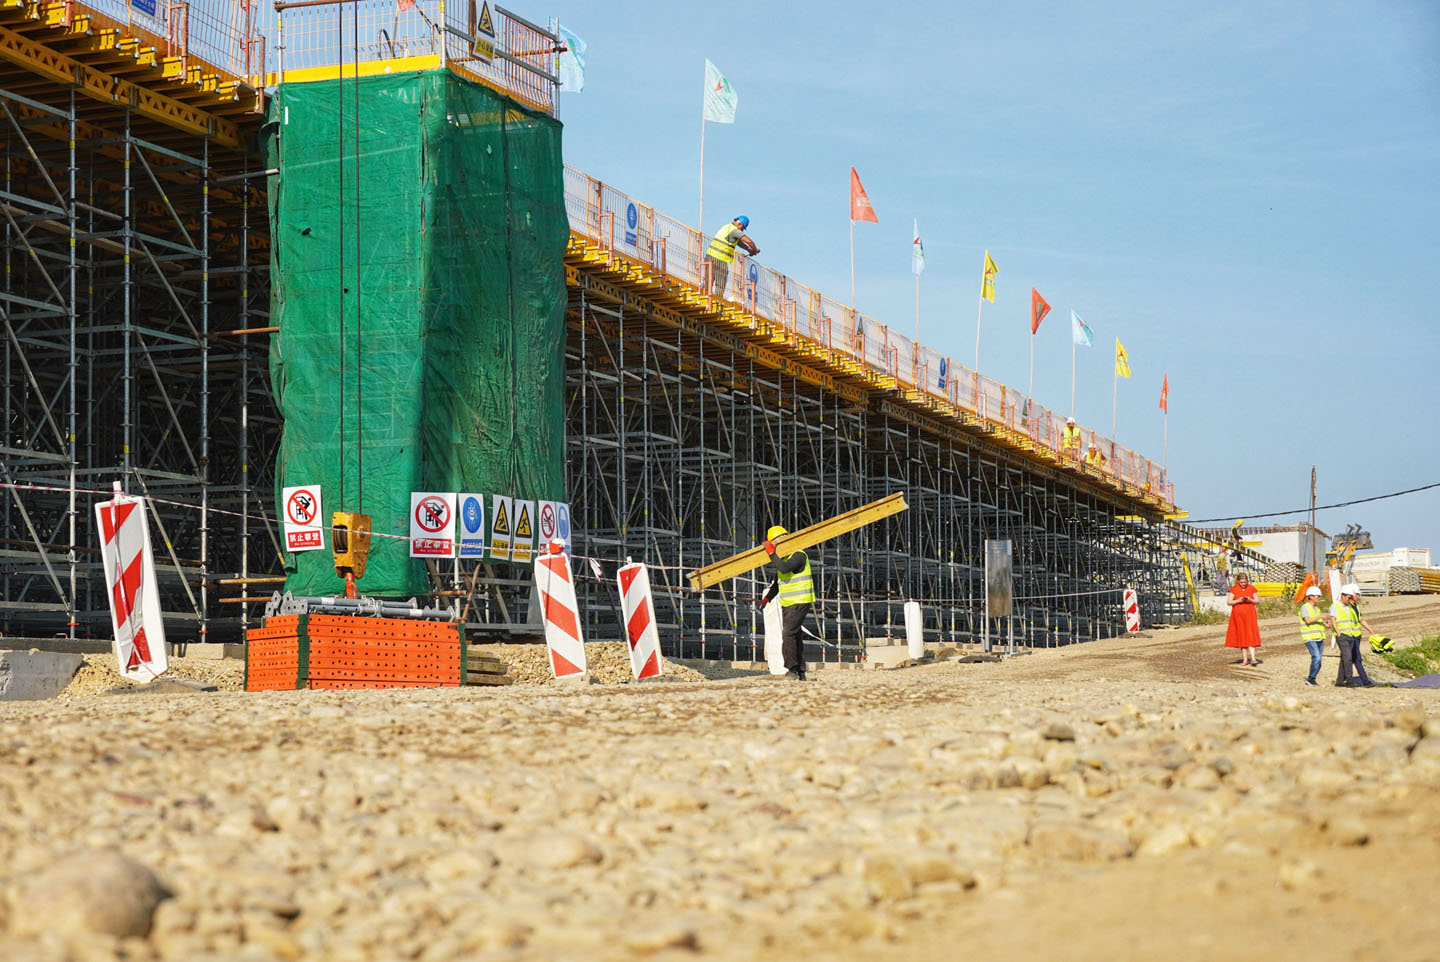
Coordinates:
<point>819,323</point>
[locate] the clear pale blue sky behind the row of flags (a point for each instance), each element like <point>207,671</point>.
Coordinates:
<point>1248,195</point>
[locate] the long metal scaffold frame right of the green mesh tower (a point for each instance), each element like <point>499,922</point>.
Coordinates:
<point>682,450</point>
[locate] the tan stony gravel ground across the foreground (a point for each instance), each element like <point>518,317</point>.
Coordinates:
<point>1138,799</point>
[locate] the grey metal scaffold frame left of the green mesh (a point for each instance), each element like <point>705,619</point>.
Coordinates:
<point>135,305</point>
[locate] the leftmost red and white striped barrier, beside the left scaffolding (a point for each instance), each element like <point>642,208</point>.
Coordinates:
<point>135,601</point>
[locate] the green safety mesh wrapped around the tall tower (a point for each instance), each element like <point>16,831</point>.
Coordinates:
<point>421,339</point>
